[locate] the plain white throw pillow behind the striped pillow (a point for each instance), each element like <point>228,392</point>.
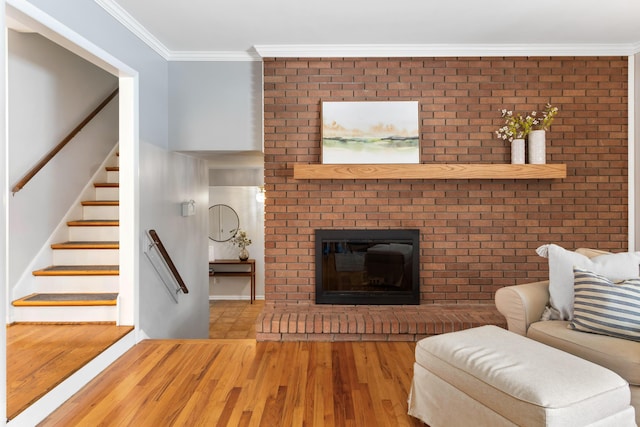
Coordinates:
<point>616,267</point>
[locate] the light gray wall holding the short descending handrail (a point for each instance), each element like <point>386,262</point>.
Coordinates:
<point>170,179</point>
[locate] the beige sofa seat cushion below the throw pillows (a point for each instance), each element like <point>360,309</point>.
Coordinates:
<point>619,355</point>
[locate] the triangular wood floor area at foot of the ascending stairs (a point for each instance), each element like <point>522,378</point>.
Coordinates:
<point>40,356</point>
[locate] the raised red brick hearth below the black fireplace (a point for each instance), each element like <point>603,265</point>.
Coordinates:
<point>369,323</point>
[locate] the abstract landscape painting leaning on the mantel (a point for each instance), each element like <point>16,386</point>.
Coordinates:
<point>373,132</point>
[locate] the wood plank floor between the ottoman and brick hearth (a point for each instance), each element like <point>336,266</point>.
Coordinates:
<point>245,383</point>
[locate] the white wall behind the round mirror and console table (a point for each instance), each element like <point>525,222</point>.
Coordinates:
<point>251,213</point>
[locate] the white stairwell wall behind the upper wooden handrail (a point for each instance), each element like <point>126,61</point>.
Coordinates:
<point>50,92</point>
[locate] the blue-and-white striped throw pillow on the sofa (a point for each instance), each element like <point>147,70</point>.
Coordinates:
<point>604,307</point>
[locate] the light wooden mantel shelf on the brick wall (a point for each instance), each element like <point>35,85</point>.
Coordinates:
<point>429,171</point>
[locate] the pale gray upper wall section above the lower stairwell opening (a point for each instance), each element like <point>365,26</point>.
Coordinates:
<point>215,106</point>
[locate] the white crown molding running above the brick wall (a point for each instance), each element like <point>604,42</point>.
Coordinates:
<point>440,50</point>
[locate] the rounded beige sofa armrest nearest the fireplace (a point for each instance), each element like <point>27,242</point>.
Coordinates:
<point>522,305</point>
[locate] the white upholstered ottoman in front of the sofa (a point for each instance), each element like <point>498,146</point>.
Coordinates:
<point>488,376</point>
